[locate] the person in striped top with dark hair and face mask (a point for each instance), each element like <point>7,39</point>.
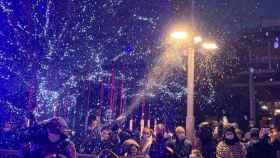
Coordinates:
<point>230,146</point>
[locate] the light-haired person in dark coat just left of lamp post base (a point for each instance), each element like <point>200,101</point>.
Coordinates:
<point>181,145</point>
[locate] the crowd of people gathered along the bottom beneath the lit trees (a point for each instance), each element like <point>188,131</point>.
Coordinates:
<point>52,138</point>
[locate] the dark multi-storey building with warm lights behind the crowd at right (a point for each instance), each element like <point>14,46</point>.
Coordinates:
<point>258,71</point>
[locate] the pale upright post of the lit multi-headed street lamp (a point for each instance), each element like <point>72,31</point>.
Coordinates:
<point>190,94</point>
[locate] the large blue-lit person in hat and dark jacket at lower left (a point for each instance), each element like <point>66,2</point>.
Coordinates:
<point>49,139</point>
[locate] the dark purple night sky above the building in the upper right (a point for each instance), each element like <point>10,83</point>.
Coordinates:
<point>234,15</point>
